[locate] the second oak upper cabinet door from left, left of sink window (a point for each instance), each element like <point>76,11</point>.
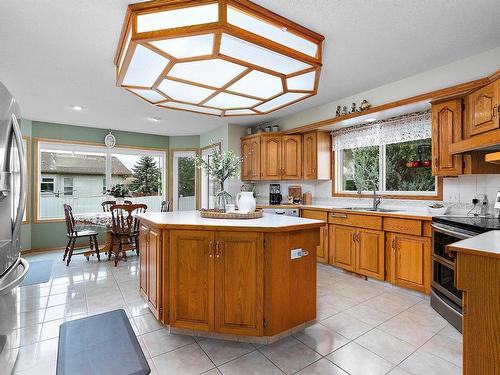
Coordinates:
<point>270,151</point>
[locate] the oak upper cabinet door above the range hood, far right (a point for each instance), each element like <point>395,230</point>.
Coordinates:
<point>482,109</point>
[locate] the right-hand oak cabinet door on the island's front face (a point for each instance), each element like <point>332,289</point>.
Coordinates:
<point>239,283</point>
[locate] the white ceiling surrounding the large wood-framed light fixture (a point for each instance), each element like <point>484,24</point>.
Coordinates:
<point>57,53</point>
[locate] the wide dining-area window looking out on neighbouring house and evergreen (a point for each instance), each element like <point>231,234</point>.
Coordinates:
<point>81,175</point>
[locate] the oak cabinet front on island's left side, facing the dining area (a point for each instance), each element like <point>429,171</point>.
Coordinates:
<point>150,269</point>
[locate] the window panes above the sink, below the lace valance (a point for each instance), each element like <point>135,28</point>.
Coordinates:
<point>386,166</point>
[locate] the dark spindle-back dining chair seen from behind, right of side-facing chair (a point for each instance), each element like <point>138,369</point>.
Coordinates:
<point>125,229</point>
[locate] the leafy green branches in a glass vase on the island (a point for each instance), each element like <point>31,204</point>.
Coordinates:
<point>222,165</point>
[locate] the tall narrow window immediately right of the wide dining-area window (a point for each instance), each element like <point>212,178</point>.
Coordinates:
<point>183,180</point>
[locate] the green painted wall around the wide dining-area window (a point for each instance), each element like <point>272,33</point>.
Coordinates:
<point>44,235</point>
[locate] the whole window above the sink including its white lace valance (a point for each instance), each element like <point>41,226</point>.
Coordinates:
<point>394,155</point>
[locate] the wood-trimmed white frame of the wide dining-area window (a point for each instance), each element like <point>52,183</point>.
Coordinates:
<point>37,142</point>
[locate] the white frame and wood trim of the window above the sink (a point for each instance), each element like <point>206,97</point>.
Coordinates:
<point>337,191</point>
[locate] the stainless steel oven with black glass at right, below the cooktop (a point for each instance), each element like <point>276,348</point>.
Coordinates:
<point>446,299</point>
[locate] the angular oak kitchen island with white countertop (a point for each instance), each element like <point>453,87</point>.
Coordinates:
<point>233,279</point>
